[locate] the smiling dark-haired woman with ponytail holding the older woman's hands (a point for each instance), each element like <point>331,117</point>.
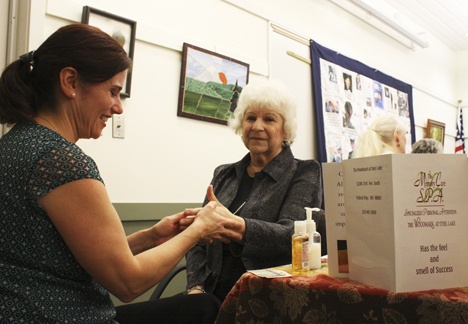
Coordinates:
<point>62,246</point>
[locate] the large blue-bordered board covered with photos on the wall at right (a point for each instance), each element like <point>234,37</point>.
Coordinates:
<point>348,95</point>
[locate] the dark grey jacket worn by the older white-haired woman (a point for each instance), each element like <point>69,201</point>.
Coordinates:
<point>278,197</point>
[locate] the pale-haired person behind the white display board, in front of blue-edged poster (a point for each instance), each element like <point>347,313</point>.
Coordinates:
<point>386,135</point>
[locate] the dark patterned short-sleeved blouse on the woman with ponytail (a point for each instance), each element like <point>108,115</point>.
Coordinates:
<point>40,280</point>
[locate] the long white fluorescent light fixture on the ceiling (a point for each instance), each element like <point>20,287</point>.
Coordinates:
<point>387,19</point>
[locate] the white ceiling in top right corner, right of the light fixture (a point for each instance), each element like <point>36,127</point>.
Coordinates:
<point>446,20</point>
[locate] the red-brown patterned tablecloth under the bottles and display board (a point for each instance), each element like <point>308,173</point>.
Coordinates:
<point>318,298</point>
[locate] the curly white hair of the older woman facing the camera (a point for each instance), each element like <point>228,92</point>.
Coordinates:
<point>271,94</point>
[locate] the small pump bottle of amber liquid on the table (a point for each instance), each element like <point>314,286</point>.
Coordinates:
<point>300,248</point>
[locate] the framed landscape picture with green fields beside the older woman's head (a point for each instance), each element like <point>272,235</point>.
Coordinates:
<point>210,84</point>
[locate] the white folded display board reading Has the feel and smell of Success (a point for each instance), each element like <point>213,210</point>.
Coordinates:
<point>407,220</point>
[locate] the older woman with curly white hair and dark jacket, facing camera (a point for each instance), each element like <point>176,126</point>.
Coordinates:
<point>265,192</point>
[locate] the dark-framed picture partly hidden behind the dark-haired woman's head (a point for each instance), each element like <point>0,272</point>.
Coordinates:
<point>122,29</point>
